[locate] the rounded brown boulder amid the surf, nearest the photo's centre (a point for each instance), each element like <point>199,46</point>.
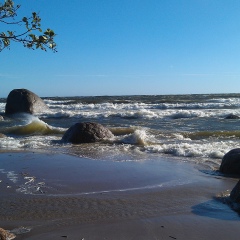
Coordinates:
<point>86,132</point>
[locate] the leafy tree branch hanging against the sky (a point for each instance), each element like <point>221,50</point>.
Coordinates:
<point>28,26</point>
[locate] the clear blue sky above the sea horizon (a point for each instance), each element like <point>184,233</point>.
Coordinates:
<point>125,47</point>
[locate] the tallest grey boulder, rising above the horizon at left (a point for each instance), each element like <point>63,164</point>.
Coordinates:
<point>23,100</point>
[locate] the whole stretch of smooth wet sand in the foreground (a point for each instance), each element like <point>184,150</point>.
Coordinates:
<point>54,196</point>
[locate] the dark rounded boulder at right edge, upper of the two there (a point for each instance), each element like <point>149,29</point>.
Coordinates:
<point>231,162</point>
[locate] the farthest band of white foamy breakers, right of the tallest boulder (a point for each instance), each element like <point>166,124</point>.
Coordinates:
<point>139,110</point>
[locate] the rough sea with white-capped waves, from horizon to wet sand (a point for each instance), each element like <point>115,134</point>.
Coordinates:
<point>190,128</point>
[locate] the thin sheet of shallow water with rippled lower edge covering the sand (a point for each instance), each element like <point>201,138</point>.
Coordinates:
<point>60,186</point>
